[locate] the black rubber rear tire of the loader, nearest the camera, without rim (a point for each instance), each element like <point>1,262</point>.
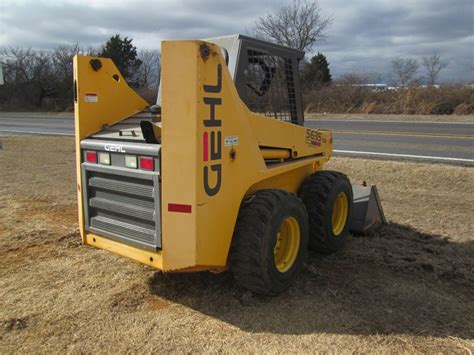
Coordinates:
<point>251,256</point>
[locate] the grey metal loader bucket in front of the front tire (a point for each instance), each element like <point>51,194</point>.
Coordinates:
<point>367,212</point>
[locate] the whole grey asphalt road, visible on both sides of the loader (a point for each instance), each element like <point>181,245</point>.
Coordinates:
<point>428,141</point>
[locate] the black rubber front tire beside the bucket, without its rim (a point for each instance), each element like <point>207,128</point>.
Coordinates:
<point>319,192</point>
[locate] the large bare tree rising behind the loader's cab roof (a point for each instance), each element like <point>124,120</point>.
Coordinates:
<point>298,25</point>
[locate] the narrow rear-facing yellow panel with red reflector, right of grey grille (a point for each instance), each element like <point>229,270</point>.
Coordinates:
<point>179,152</point>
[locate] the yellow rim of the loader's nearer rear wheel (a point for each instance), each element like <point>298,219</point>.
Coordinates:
<point>287,244</point>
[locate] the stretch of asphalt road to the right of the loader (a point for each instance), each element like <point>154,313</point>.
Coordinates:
<point>437,141</point>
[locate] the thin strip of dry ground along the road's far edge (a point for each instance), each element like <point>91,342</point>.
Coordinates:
<point>391,117</point>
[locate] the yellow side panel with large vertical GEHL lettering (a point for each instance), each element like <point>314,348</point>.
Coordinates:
<point>222,180</point>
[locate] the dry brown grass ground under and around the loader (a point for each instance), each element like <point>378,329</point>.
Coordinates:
<point>405,288</point>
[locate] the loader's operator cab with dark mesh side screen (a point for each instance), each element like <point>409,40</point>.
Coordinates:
<point>266,76</point>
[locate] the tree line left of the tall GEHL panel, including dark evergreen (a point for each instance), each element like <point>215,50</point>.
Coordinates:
<point>43,80</point>
